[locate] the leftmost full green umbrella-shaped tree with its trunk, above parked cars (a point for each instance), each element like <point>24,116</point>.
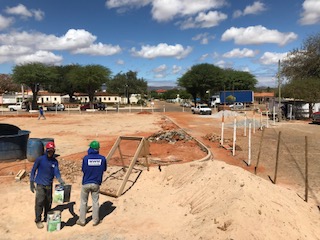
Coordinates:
<point>34,75</point>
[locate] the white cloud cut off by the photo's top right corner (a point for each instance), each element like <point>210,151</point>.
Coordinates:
<point>311,12</point>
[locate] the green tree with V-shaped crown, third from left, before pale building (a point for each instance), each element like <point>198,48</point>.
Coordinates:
<point>89,78</point>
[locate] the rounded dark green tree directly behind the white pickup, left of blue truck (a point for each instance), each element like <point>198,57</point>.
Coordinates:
<point>201,78</point>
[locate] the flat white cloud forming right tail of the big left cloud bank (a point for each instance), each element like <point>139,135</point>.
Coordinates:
<point>98,50</point>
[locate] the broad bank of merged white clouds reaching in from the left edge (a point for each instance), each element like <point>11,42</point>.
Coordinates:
<point>24,46</point>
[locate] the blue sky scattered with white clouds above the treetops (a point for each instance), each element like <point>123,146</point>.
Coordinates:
<point>160,39</point>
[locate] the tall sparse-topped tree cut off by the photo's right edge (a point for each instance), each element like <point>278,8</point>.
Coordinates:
<point>302,71</point>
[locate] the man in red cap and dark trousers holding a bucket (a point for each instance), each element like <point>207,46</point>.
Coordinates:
<point>44,169</point>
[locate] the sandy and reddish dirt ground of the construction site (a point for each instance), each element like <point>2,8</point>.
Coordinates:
<point>184,195</point>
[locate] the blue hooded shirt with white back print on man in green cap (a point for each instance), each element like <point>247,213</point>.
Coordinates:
<point>93,166</point>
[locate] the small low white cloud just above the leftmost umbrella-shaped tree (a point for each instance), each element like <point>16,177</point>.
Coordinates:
<point>40,56</point>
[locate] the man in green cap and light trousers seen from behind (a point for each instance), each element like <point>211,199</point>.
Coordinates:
<point>93,167</point>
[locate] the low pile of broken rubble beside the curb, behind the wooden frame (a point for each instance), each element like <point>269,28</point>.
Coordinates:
<point>171,136</point>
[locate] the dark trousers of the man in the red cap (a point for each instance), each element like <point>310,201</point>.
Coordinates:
<point>43,201</point>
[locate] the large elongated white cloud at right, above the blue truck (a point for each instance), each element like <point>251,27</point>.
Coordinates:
<point>257,35</point>
